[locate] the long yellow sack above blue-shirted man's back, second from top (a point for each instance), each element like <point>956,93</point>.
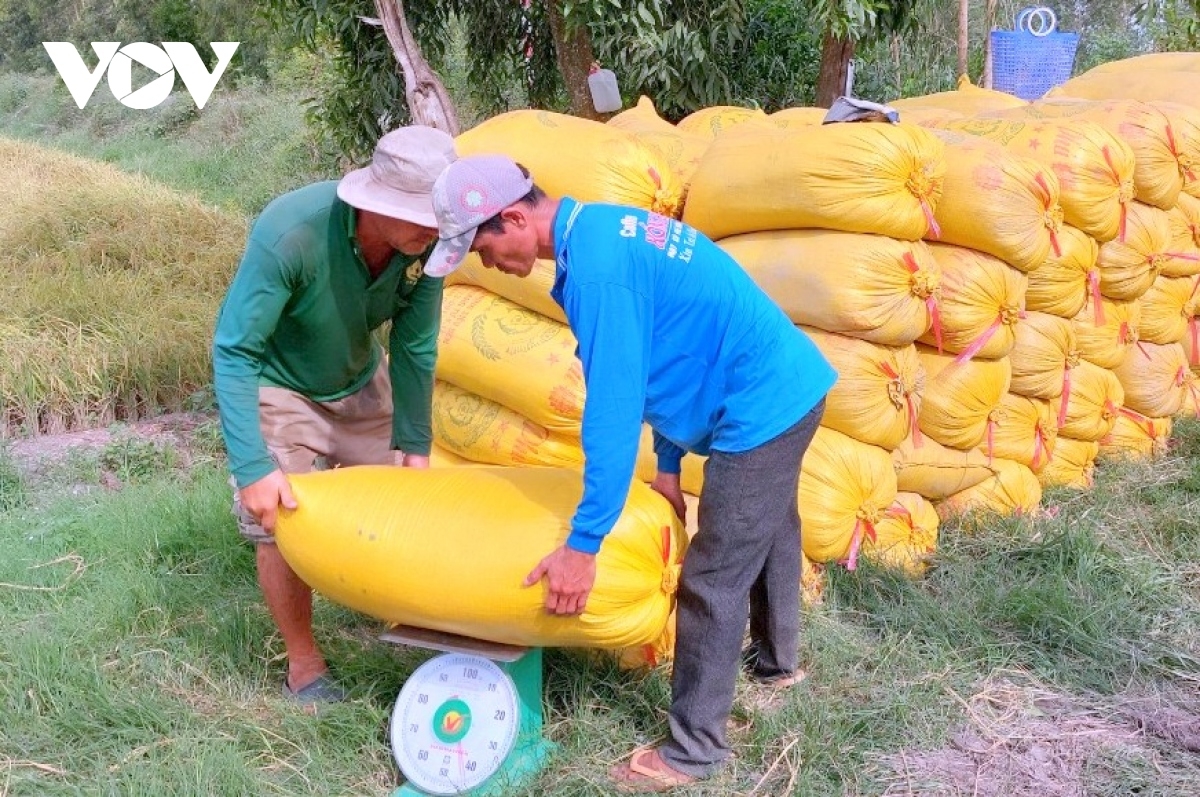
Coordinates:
<point>866,286</point>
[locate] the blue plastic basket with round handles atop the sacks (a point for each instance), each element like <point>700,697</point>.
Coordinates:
<point>1028,65</point>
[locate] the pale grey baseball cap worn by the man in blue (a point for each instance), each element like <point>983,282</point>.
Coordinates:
<point>467,194</point>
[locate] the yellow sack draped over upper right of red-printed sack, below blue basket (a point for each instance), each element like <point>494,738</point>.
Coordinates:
<point>1095,167</point>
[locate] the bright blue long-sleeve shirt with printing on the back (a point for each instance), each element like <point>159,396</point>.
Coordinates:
<point>671,331</point>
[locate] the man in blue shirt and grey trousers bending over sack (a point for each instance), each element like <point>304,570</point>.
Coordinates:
<point>674,333</point>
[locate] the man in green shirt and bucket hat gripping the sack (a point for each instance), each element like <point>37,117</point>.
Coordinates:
<point>301,380</point>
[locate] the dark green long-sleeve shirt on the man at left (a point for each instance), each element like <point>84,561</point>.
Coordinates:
<point>301,314</point>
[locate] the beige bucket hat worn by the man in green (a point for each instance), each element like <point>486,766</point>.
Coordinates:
<point>400,179</point>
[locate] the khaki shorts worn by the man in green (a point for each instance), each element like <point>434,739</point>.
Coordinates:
<point>303,435</point>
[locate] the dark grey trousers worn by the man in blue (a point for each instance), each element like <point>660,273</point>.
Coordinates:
<point>747,553</point>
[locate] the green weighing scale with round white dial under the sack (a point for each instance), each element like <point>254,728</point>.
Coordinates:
<point>469,722</point>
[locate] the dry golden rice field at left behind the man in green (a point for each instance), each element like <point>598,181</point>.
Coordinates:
<point>112,286</point>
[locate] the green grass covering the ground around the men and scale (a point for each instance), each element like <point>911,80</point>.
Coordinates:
<point>139,657</point>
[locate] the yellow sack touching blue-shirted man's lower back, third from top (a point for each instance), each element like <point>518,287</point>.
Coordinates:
<point>878,394</point>
